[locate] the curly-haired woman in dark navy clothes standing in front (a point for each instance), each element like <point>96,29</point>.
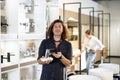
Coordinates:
<point>61,52</point>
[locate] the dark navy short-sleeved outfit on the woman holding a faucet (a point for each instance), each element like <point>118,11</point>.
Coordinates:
<point>54,70</point>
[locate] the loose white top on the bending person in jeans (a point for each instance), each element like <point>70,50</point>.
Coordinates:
<point>92,43</point>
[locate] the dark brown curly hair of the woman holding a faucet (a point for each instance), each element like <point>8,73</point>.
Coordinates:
<point>50,32</point>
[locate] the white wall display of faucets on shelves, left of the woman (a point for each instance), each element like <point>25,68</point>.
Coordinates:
<point>23,27</point>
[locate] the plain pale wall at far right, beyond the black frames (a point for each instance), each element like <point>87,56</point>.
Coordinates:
<point>114,8</point>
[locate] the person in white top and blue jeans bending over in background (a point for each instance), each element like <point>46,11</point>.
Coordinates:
<point>91,45</point>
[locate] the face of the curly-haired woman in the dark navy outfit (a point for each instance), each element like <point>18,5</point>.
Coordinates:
<point>57,29</point>
